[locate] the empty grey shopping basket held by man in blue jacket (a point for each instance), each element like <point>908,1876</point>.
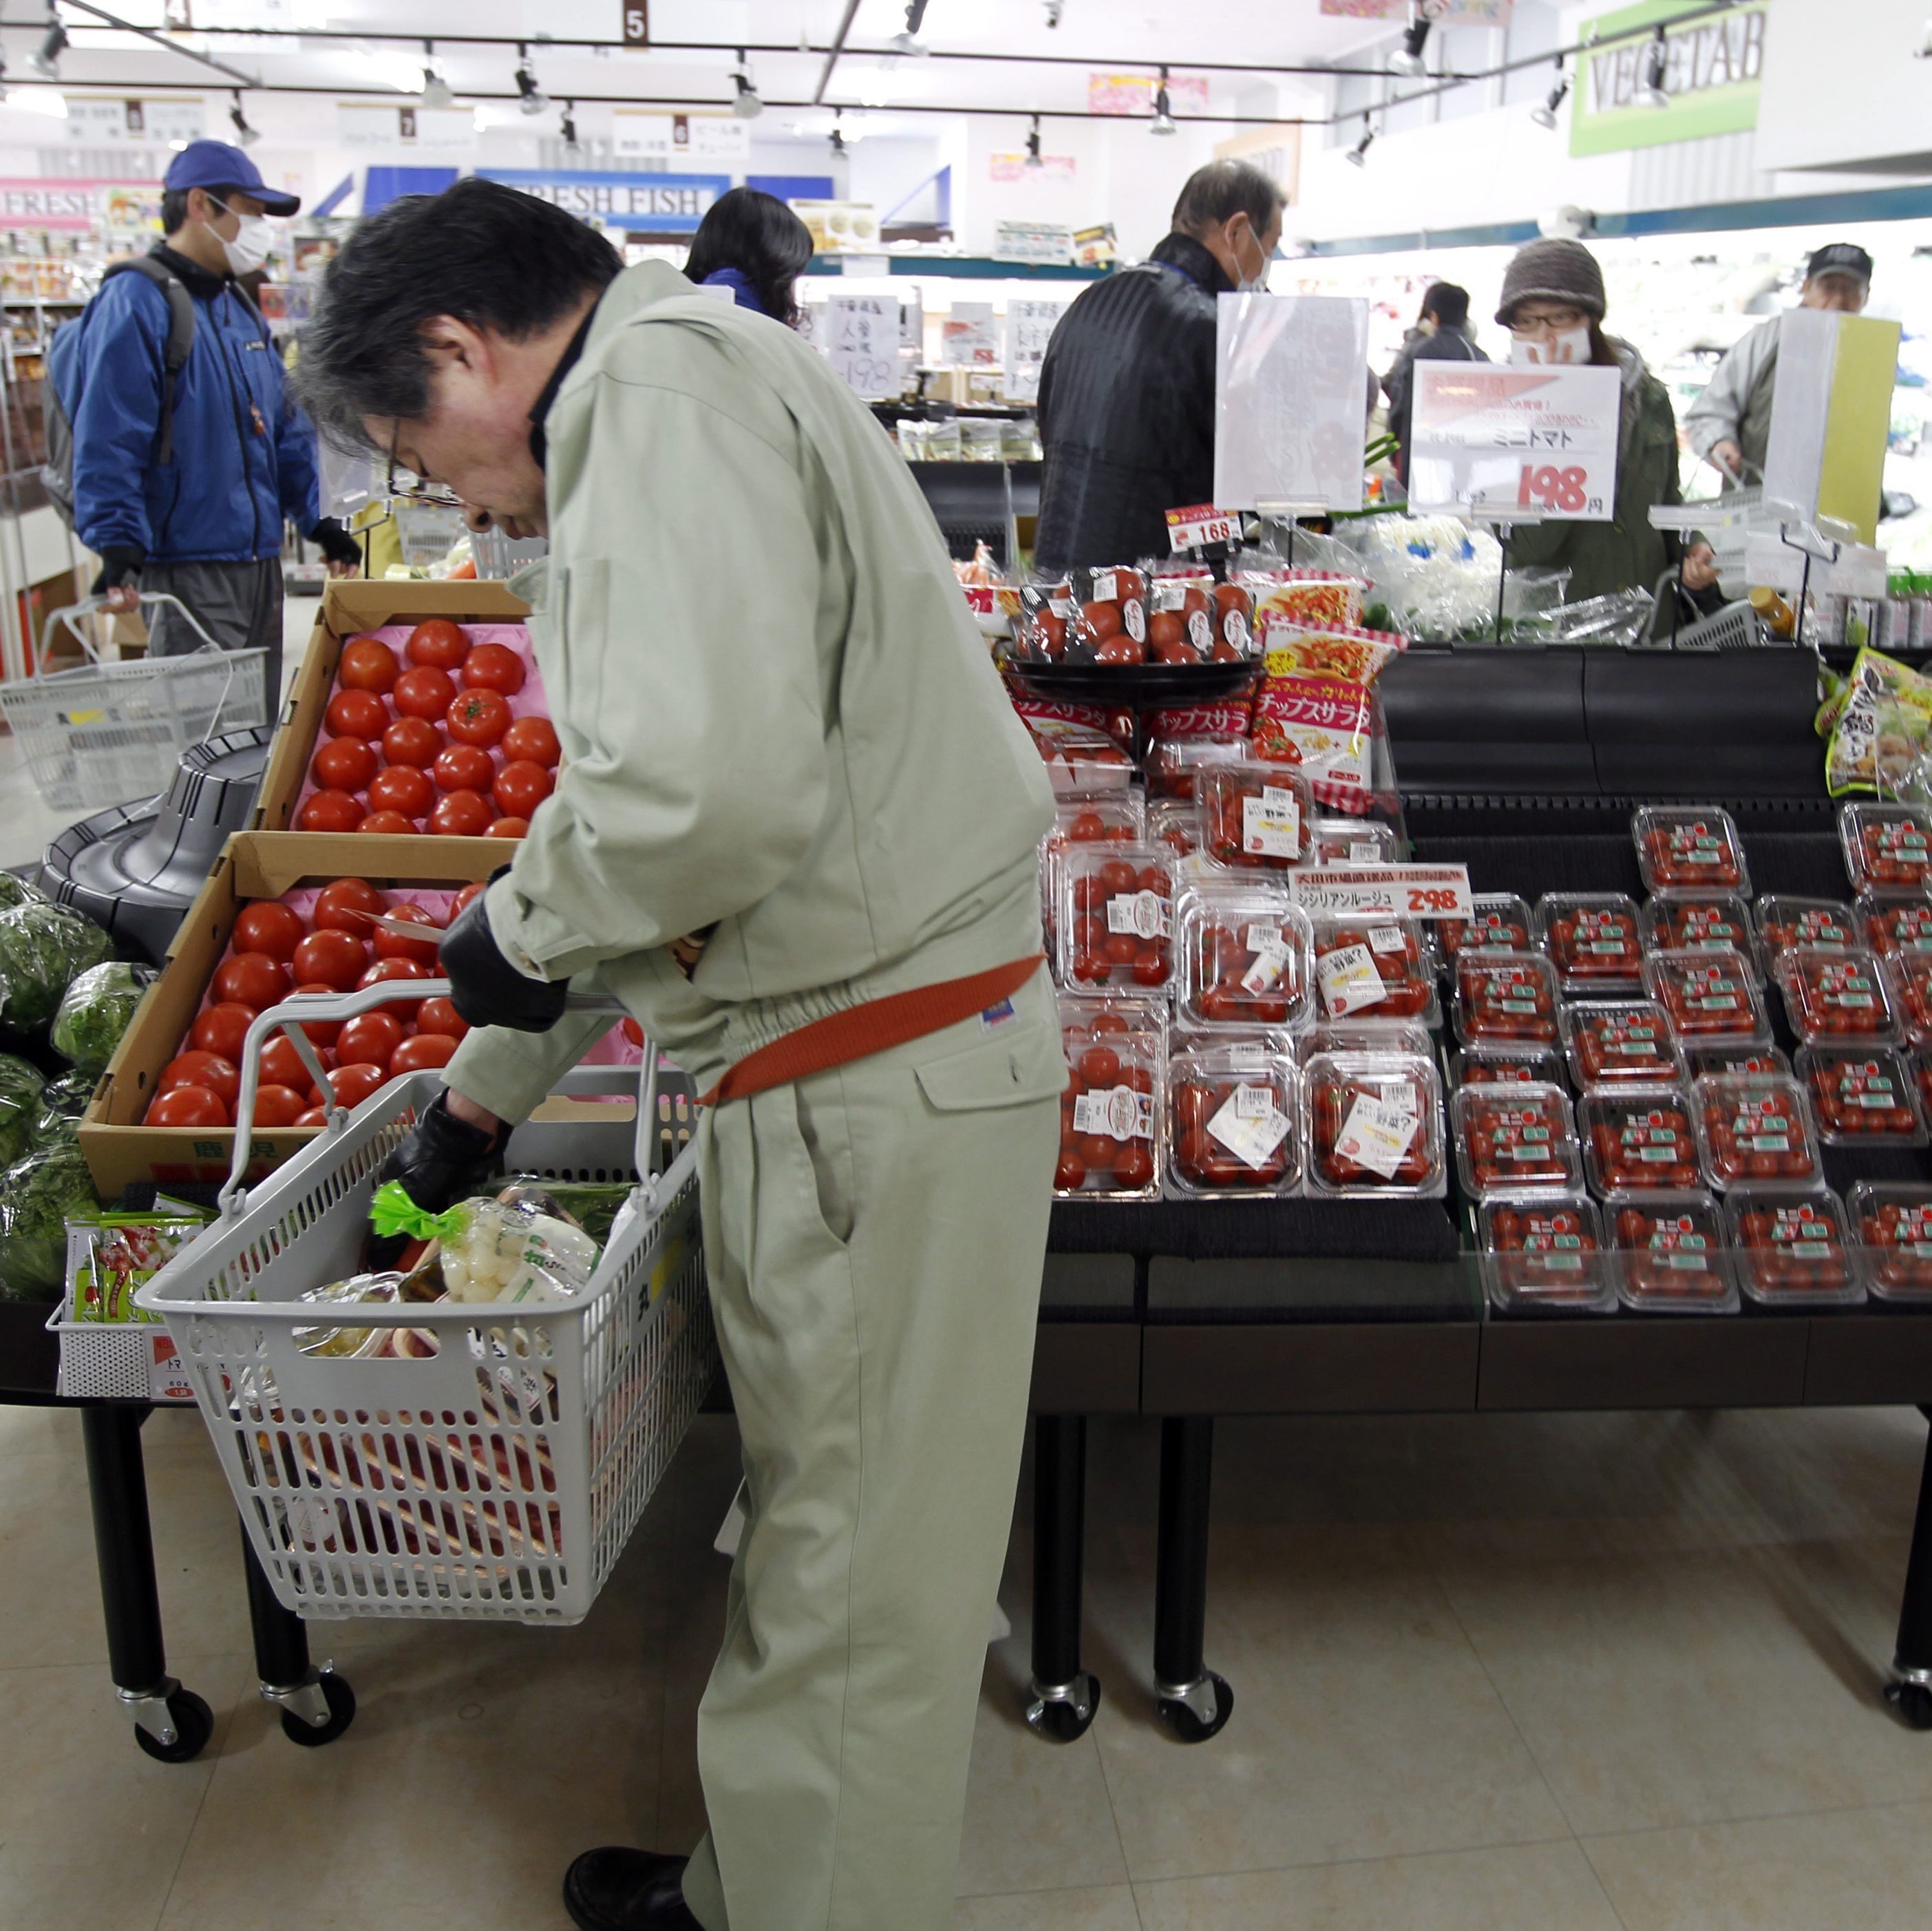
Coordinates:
<point>109,734</point>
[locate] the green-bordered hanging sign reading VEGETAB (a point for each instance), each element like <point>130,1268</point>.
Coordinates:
<point>1711,76</point>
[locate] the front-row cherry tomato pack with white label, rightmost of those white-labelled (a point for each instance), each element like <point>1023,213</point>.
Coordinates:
<point>1375,1126</point>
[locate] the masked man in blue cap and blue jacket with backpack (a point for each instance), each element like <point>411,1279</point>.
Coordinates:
<point>183,476</point>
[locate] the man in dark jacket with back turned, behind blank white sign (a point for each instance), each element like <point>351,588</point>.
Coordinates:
<point>1127,388</point>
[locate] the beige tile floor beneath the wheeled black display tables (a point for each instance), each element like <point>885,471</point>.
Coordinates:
<point>1510,1675</point>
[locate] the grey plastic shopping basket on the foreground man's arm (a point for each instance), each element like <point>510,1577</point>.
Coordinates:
<point>499,1468</point>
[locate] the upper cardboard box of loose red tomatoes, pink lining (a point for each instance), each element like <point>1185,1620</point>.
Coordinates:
<point>418,710</point>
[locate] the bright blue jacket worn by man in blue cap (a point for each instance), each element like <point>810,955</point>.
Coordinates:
<point>244,455</point>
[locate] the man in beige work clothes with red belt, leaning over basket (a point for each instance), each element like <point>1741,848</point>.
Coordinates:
<point>795,836</point>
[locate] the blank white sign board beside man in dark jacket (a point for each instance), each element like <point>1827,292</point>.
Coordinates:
<point>1292,401</point>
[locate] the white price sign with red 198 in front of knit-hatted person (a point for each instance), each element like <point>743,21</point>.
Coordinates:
<point>1516,444</point>
